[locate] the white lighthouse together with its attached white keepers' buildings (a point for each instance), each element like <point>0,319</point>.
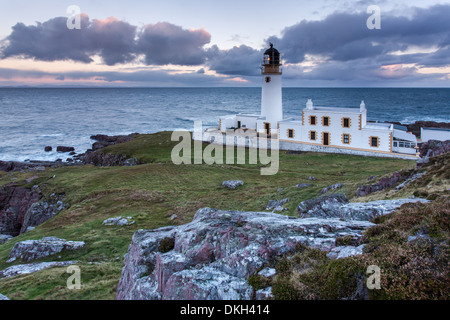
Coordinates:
<point>324,129</point>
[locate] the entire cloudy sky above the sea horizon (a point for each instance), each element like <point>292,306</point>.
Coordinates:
<point>323,43</point>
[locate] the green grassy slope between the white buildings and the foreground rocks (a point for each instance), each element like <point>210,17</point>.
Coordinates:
<point>151,193</point>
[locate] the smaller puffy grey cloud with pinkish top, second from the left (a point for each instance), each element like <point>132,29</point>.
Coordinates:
<point>164,43</point>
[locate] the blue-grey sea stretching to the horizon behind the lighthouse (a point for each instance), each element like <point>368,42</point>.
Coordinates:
<point>32,118</point>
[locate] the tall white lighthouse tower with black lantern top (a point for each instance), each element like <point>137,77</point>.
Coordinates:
<point>271,98</point>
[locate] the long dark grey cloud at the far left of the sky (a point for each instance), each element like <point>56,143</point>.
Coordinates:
<point>112,39</point>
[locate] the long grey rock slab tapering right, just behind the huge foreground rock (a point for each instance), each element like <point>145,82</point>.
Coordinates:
<point>337,206</point>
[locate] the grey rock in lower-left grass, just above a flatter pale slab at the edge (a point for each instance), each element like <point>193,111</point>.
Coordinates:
<point>35,249</point>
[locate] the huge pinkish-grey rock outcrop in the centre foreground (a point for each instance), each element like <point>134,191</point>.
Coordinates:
<point>213,256</point>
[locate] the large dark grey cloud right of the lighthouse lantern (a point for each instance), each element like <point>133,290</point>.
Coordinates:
<point>345,36</point>
